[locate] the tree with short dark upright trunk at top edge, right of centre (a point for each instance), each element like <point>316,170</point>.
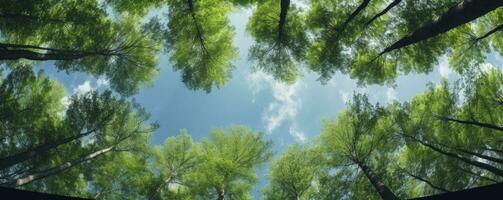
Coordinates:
<point>280,39</point>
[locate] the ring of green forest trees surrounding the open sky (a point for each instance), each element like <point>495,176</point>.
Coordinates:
<point>98,144</point>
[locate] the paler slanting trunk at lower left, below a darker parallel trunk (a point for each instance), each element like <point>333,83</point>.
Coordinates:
<point>56,170</point>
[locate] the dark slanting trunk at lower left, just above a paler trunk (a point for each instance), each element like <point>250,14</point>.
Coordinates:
<point>23,156</point>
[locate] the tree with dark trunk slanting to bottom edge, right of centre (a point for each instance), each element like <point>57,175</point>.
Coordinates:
<point>355,136</point>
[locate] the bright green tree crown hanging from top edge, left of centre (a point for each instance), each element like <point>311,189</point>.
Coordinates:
<point>200,41</point>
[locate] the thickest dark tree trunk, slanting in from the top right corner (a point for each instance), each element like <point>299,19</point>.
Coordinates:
<point>462,13</point>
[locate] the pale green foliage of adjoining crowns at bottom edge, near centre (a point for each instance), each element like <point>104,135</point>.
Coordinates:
<point>223,166</point>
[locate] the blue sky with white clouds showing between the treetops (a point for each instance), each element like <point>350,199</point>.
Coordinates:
<point>287,114</point>
